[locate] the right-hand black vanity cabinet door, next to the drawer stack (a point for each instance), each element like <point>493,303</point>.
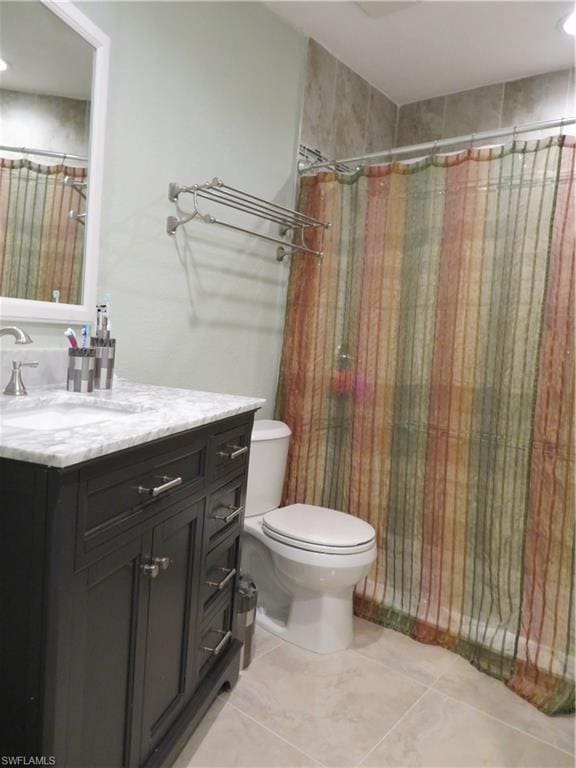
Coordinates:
<point>172,623</point>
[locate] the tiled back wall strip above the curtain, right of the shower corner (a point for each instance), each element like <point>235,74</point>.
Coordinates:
<point>517,102</point>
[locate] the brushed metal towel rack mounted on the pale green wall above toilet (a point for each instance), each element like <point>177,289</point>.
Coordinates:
<point>292,223</point>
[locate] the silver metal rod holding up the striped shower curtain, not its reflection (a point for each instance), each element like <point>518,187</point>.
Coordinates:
<point>443,143</point>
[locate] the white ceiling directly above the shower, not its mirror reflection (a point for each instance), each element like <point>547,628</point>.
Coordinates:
<point>417,50</point>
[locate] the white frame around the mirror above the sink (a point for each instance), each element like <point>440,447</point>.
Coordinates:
<point>31,310</point>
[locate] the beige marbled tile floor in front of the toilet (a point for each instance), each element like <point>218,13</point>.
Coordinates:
<point>387,701</point>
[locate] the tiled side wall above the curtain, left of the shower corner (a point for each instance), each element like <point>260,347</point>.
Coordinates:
<point>343,114</point>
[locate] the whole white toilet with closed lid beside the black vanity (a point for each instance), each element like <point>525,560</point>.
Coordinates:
<point>305,560</point>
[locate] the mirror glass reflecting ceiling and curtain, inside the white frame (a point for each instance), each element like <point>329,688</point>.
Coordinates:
<point>45,92</point>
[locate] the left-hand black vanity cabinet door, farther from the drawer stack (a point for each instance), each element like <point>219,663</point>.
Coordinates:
<point>109,604</point>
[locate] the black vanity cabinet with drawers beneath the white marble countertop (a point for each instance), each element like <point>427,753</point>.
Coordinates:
<point>118,596</point>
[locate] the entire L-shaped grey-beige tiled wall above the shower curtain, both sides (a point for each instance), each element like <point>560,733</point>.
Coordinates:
<point>344,115</point>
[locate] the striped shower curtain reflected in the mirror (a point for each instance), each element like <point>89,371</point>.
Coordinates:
<point>41,249</point>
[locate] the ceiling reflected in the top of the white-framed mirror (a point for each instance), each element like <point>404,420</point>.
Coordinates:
<point>43,53</point>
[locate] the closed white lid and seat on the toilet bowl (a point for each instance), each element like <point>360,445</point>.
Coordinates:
<point>310,527</point>
